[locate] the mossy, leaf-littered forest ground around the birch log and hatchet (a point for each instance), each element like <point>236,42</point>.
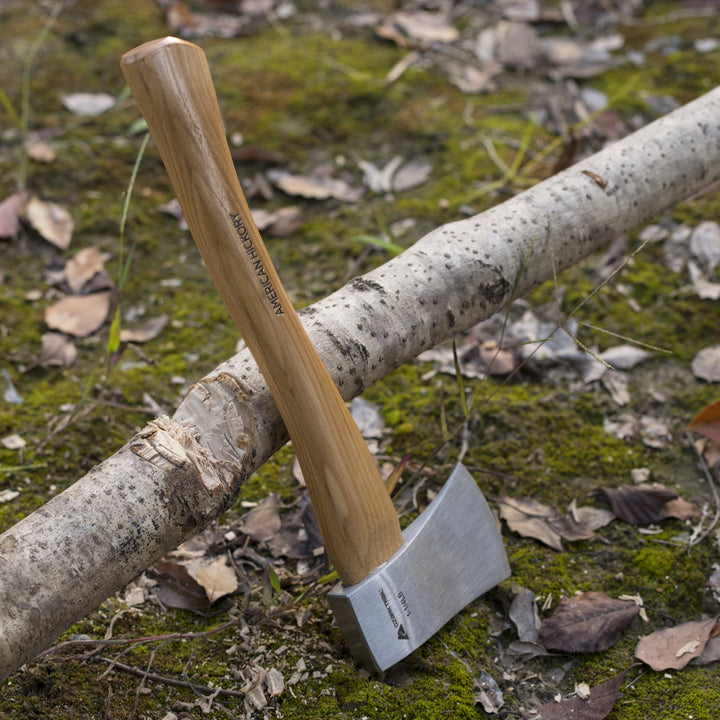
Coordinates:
<point>479,100</point>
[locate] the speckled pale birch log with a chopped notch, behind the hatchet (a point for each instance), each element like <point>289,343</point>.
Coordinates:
<point>176,475</point>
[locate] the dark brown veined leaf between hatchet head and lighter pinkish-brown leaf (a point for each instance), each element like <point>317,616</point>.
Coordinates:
<point>587,623</point>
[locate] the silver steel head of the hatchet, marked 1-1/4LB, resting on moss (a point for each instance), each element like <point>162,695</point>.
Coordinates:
<point>451,554</point>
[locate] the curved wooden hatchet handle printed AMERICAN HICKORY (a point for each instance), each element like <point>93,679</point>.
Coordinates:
<point>171,82</point>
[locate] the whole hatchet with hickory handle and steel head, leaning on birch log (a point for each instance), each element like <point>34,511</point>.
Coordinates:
<point>396,589</point>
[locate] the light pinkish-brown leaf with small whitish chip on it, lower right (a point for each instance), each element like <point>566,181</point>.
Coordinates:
<point>673,648</point>
